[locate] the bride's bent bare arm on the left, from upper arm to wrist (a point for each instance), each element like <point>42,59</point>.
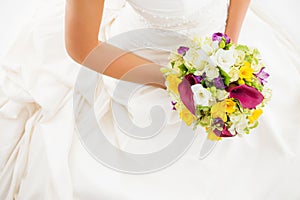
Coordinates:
<point>83,20</point>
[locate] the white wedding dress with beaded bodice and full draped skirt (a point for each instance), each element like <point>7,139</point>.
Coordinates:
<point>43,157</point>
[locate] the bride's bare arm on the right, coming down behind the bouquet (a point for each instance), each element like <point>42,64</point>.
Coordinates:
<point>236,14</point>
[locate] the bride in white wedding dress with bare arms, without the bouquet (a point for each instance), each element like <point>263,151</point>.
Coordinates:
<point>50,149</point>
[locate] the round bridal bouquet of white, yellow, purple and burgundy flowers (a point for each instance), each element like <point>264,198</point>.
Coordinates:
<point>217,85</point>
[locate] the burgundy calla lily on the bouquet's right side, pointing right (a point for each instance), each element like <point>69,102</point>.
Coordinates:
<point>248,97</point>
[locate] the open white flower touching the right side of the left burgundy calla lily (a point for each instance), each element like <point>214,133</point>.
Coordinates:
<point>201,95</point>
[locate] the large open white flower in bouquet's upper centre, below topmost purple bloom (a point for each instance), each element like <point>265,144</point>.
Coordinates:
<point>224,59</point>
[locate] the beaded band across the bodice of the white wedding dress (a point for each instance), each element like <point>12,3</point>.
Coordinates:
<point>178,19</point>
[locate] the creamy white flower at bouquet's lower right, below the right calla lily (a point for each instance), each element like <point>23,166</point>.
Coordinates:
<point>239,123</point>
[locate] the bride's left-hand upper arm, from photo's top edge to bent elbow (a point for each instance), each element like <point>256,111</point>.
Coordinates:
<point>82,24</point>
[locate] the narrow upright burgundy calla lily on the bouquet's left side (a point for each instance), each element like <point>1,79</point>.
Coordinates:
<point>186,95</point>
